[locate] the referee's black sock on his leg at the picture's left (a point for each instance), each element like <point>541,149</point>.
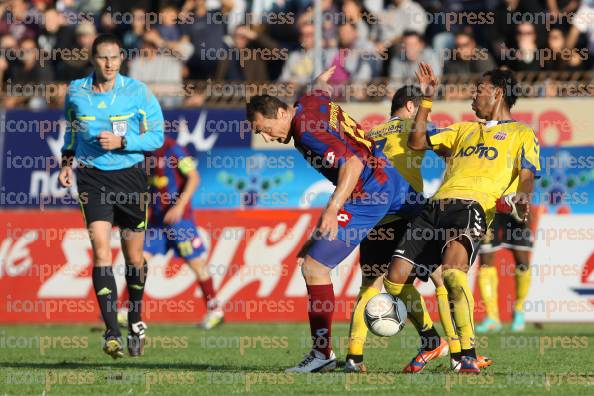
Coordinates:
<point>107,297</point>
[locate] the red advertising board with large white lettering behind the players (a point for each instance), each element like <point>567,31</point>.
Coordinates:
<point>46,269</point>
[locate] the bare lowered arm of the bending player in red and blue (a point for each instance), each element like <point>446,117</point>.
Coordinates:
<point>348,175</point>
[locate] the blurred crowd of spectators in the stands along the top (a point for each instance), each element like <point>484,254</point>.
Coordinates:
<point>171,42</point>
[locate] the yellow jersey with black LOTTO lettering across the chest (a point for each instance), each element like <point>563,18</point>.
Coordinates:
<point>486,159</point>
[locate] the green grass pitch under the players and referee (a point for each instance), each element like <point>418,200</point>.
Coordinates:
<point>249,358</point>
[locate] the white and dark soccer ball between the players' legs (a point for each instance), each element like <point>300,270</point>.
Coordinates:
<point>385,315</point>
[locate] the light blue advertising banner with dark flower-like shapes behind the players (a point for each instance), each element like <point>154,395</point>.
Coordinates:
<point>235,178</point>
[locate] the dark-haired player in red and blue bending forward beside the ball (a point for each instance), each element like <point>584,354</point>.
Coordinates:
<point>367,189</point>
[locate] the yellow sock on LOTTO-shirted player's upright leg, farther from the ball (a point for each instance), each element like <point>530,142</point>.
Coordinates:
<point>456,283</point>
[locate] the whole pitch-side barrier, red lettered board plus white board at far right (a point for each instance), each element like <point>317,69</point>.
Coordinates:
<point>45,272</point>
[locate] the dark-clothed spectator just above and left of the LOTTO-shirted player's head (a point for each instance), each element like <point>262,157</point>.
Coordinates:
<point>467,57</point>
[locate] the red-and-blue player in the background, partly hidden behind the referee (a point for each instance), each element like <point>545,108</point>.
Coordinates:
<point>173,181</point>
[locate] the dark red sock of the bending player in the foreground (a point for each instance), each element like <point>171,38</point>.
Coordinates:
<point>321,309</point>
